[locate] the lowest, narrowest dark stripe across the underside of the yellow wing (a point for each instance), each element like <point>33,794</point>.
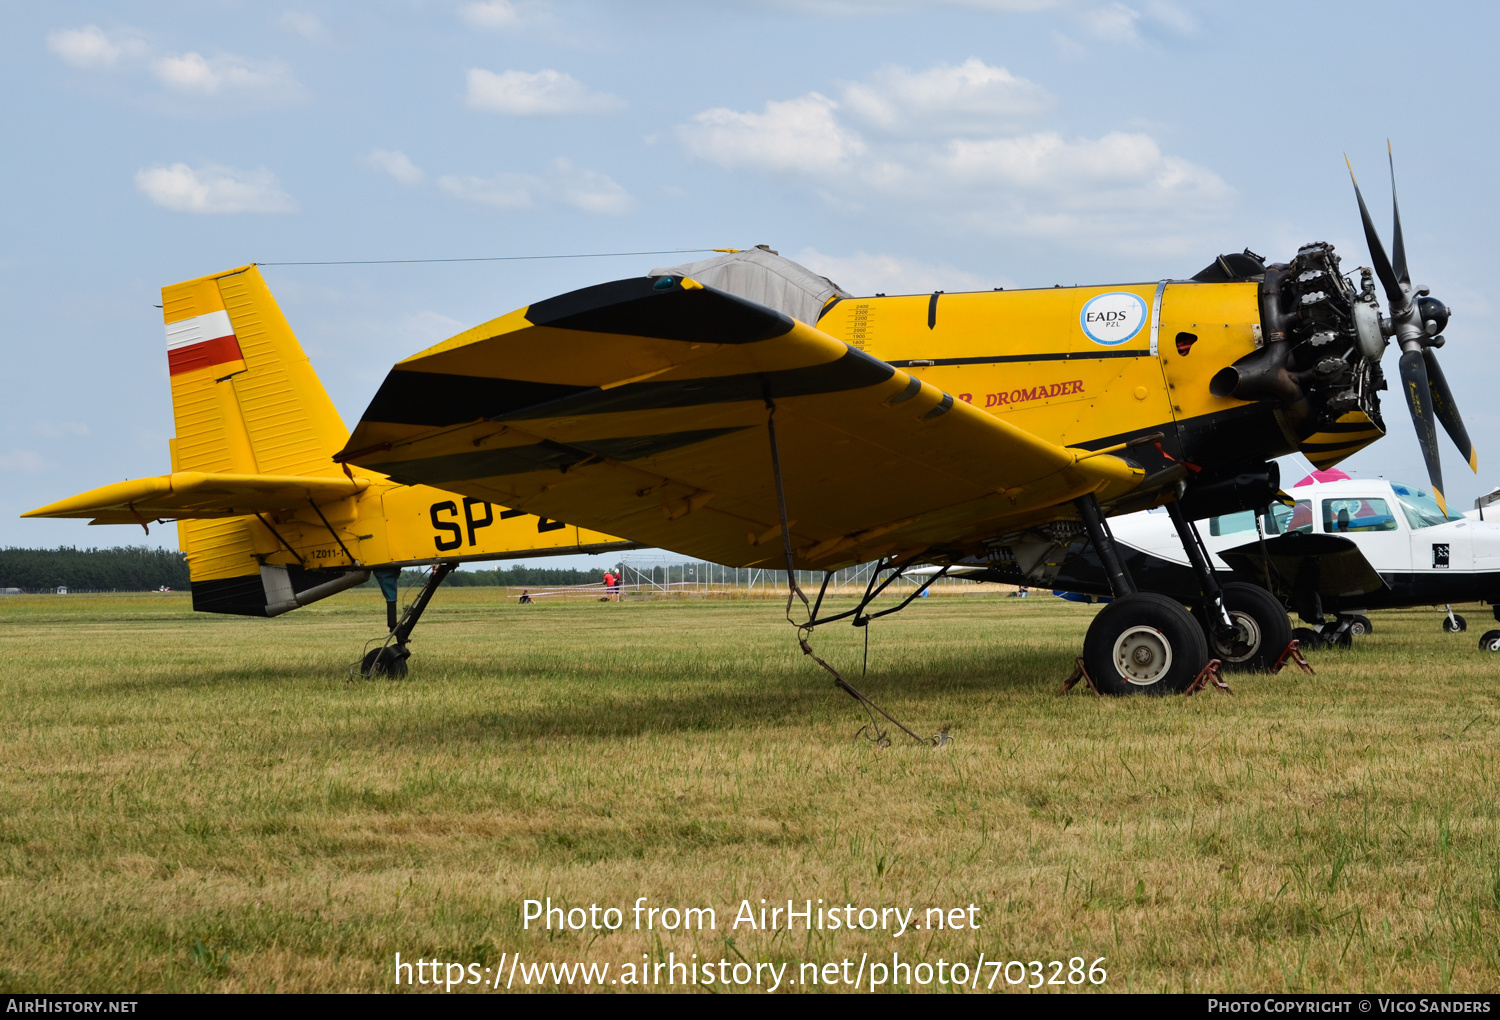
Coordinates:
<point>541,457</point>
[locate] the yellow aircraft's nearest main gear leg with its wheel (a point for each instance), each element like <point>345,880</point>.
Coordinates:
<point>1142,643</point>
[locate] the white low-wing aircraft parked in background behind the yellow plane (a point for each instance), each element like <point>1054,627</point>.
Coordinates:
<point>1345,548</point>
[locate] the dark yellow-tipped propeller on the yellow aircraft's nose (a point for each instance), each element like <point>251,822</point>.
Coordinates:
<point>1417,320</point>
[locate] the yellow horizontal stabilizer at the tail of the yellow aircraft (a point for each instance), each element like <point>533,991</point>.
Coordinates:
<point>199,496</point>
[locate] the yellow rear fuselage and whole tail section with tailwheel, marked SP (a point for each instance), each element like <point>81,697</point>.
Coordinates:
<point>266,517</point>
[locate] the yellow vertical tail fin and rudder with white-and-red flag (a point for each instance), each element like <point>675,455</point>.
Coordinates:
<point>245,400</point>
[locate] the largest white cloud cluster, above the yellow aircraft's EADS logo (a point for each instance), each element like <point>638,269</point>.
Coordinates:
<point>1118,191</point>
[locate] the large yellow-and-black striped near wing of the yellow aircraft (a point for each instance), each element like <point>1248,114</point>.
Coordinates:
<point>641,409</point>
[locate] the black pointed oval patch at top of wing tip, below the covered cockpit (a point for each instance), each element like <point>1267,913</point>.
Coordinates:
<point>641,307</point>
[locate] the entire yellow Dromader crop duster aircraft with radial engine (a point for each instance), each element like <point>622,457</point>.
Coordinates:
<point>749,413</point>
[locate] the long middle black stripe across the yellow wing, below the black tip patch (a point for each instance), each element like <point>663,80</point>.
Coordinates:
<point>418,398</point>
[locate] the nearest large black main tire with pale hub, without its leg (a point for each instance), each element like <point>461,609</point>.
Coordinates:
<point>1145,644</point>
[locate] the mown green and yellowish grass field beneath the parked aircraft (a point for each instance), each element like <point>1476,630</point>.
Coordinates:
<point>200,803</point>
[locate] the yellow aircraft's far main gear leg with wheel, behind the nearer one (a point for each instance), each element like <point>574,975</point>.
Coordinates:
<point>1244,625</point>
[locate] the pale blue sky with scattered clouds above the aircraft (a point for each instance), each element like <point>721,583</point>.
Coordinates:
<point>889,145</point>
